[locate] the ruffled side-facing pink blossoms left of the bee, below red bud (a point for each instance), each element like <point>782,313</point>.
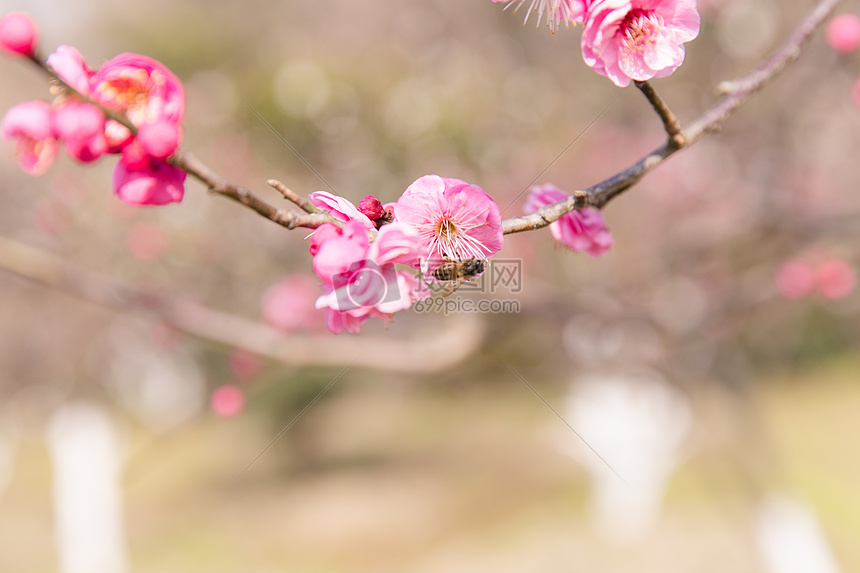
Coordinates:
<point>359,278</point>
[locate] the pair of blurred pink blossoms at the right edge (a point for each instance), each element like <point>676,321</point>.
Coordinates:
<point>803,276</point>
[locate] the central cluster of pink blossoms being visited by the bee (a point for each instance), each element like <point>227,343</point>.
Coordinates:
<point>436,219</point>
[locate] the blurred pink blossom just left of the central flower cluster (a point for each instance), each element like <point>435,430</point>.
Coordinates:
<point>289,303</point>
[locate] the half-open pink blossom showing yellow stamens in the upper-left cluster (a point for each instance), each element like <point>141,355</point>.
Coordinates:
<point>142,88</point>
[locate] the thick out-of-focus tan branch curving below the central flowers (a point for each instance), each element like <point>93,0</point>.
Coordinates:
<point>434,351</point>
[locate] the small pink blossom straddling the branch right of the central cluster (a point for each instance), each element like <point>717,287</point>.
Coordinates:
<point>583,230</point>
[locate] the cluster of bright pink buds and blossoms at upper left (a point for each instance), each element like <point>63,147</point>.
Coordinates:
<point>142,89</point>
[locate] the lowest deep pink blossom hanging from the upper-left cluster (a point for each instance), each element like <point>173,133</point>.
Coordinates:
<point>157,183</point>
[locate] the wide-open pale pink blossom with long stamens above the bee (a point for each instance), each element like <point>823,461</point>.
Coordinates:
<point>453,218</point>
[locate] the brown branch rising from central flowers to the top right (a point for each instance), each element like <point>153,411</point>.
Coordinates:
<point>738,92</point>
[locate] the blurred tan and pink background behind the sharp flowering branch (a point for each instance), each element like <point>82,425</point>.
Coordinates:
<point>688,402</point>
